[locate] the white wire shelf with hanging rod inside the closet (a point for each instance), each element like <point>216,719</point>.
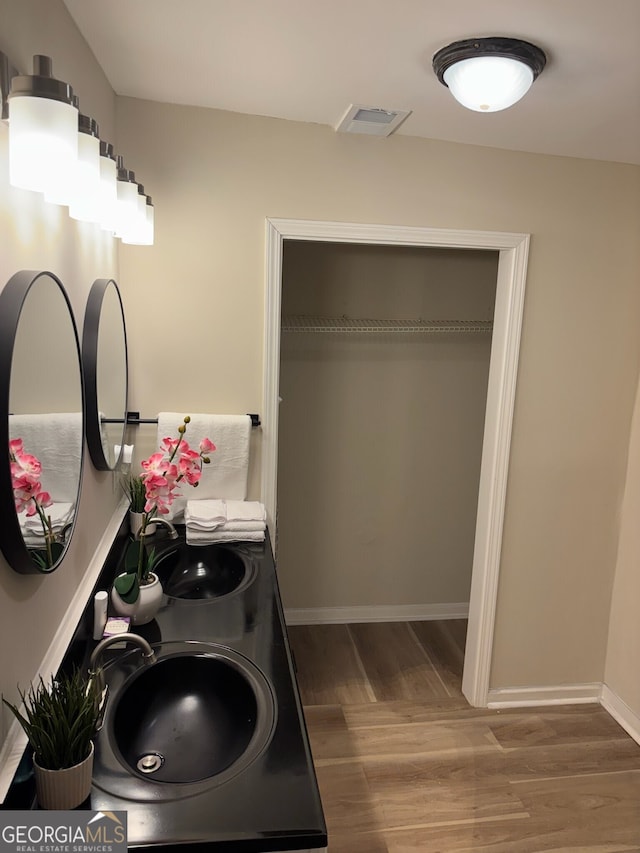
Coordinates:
<point>298,323</point>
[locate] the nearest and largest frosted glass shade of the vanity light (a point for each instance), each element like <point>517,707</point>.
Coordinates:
<point>43,142</point>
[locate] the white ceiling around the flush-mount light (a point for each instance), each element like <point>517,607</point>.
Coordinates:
<point>308,60</point>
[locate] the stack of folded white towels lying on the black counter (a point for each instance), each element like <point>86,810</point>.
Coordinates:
<point>218,520</point>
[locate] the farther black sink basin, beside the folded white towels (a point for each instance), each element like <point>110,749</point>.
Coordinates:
<point>202,572</point>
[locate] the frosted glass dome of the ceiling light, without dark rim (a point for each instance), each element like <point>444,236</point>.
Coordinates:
<point>488,83</point>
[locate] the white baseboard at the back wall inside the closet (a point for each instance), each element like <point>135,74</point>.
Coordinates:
<point>376,613</point>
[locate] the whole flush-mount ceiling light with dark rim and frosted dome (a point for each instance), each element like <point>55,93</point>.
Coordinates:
<point>488,74</point>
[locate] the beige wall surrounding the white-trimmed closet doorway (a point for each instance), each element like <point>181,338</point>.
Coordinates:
<point>195,305</point>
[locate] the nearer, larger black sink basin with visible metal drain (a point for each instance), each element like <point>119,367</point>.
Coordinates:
<point>191,717</point>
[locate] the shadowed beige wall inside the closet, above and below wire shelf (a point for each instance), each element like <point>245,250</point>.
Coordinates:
<point>380,436</point>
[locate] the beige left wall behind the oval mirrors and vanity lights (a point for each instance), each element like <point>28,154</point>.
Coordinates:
<point>37,236</point>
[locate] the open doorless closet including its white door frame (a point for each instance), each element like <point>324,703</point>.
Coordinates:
<point>390,361</point>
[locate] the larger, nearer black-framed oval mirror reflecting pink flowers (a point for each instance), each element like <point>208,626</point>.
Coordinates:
<point>41,421</point>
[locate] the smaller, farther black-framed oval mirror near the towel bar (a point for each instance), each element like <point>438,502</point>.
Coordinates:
<point>105,367</point>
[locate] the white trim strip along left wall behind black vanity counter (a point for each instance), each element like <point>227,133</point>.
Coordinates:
<point>16,739</point>
